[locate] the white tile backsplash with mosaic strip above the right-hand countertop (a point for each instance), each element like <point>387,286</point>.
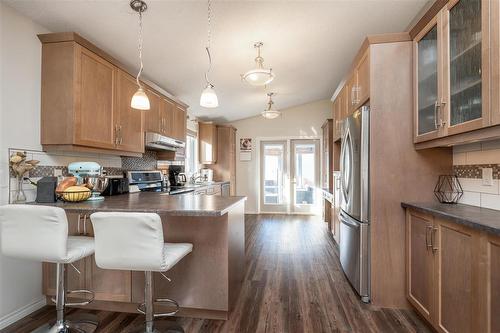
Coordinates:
<point>468,164</point>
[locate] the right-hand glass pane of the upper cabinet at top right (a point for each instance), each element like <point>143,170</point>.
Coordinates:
<point>465,61</point>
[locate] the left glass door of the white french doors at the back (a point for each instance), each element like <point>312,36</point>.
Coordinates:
<point>273,175</point>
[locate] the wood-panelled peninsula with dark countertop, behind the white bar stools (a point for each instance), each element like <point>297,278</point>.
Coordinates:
<point>206,283</point>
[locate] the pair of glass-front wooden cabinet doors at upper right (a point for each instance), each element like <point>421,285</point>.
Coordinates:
<point>452,72</point>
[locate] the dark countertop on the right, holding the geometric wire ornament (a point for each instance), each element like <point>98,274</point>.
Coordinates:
<point>475,217</point>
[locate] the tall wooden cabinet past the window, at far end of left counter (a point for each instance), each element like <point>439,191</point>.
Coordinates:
<point>225,168</point>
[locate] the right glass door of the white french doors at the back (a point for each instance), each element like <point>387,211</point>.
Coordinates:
<point>305,175</point>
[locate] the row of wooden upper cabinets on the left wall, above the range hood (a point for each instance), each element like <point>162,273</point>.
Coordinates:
<point>85,101</point>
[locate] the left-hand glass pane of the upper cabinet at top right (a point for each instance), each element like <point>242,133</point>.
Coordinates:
<point>427,71</point>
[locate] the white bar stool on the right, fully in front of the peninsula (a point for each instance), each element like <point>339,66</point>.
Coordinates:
<point>134,241</point>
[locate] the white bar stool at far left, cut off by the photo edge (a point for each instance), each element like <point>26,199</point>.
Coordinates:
<point>40,233</point>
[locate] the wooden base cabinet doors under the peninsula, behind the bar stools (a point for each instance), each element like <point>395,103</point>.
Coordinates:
<point>108,285</point>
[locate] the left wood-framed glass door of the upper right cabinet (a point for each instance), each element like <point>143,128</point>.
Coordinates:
<point>427,87</point>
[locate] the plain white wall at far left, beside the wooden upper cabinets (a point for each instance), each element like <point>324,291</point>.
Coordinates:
<point>20,52</point>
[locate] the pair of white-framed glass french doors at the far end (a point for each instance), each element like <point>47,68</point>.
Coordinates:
<point>289,176</point>
